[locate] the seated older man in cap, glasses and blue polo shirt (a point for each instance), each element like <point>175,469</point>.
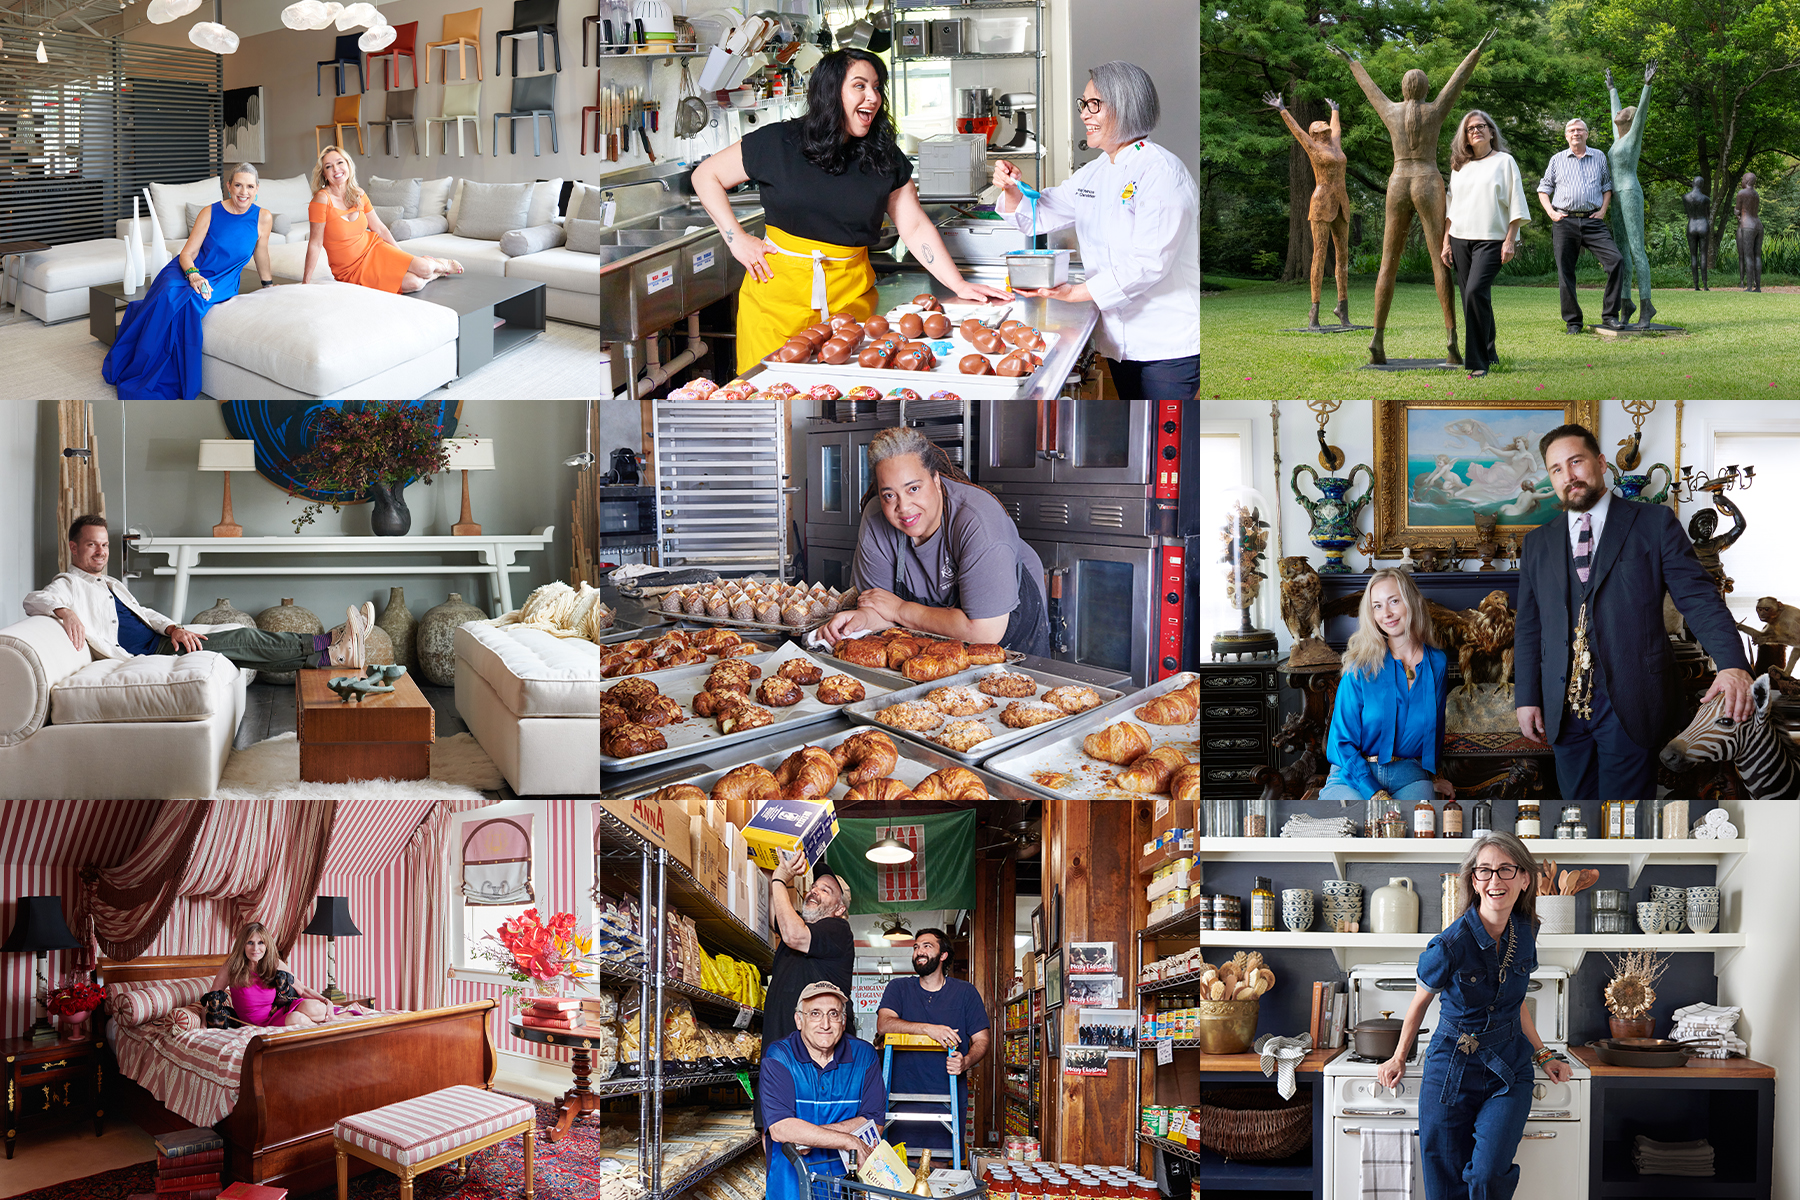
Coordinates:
<point>820,1089</point>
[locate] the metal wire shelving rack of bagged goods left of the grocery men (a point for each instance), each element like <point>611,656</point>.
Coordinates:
<point>669,882</point>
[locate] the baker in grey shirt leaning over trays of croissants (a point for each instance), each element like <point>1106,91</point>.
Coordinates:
<point>939,553</point>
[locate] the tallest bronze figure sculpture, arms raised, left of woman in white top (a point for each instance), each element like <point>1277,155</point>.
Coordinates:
<point>1416,186</point>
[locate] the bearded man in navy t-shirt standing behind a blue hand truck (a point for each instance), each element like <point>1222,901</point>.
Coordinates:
<point>944,1010</point>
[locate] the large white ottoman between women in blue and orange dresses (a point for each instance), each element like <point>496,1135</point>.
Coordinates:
<point>330,341</point>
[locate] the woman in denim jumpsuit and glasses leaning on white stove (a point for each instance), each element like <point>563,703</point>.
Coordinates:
<point>1479,1066</point>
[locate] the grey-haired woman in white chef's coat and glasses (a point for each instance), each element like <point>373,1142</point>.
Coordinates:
<point>1135,213</point>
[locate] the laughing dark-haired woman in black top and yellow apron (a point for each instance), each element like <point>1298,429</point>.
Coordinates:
<point>827,181</point>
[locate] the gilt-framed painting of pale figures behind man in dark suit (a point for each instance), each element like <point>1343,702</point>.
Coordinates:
<point>1441,461</point>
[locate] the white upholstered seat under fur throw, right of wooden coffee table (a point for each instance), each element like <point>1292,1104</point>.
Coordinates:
<point>534,704</point>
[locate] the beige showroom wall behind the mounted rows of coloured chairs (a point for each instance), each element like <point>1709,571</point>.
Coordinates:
<point>283,62</point>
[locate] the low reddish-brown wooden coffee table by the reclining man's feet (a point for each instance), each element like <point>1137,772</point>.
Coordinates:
<point>384,737</point>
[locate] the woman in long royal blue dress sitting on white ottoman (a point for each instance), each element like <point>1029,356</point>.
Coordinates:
<point>157,352</point>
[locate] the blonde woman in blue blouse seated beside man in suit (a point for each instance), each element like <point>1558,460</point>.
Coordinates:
<point>1390,703</point>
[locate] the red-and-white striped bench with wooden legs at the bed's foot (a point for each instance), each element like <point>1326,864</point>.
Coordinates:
<point>420,1134</point>
